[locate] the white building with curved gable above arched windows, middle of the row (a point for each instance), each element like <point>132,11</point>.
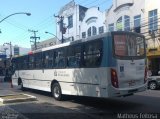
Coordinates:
<point>92,24</point>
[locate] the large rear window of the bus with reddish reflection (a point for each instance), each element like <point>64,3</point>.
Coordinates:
<point>128,45</point>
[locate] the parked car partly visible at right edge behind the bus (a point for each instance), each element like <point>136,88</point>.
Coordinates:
<point>153,82</point>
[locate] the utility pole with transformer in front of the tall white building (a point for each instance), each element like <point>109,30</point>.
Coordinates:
<point>62,29</point>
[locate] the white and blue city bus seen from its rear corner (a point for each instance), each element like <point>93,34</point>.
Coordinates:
<point>106,65</point>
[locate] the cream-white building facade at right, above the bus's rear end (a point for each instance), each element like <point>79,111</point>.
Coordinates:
<point>141,16</point>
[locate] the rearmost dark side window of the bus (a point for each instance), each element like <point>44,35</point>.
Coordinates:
<point>92,54</point>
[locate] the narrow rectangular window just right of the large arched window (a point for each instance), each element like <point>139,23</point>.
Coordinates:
<point>137,23</point>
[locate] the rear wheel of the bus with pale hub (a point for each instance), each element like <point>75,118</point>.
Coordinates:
<point>56,91</point>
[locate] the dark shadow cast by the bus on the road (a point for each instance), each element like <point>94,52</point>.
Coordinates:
<point>132,104</point>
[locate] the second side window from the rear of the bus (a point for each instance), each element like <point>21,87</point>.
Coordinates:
<point>74,56</point>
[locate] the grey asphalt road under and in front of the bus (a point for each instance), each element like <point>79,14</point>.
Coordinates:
<point>141,105</point>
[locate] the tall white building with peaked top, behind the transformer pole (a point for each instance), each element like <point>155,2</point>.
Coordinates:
<point>68,22</point>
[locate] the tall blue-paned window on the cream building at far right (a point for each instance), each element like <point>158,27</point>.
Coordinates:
<point>153,21</point>
